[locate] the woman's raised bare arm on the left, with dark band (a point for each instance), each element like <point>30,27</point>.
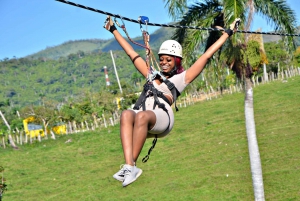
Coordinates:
<point>138,62</point>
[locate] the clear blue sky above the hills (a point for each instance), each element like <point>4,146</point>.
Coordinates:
<point>28,26</point>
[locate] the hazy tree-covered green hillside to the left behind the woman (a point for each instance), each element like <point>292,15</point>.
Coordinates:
<point>73,68</point>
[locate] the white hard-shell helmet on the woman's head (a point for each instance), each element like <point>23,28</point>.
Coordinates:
<point>171,47</point>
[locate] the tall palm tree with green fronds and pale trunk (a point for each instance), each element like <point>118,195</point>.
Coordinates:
<point>208,13</point>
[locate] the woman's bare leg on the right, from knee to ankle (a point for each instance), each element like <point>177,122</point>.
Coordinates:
<point>144,121</point>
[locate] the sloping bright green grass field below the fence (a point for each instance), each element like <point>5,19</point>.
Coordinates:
<point>204,158</point>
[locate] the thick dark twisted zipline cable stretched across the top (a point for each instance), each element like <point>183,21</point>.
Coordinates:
<point>169,25</point>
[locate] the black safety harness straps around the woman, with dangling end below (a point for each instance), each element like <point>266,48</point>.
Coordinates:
<point>151,91</point>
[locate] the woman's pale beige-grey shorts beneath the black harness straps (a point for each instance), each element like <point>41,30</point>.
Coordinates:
<point>163,124</point>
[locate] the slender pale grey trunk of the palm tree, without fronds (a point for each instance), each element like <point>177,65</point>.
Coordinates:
<point>255,163</point>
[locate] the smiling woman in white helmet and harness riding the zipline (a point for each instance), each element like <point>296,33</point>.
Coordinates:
<point>152,115</point>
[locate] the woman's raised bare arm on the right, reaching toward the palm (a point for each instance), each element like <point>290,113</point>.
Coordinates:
<point>199,65</point>
